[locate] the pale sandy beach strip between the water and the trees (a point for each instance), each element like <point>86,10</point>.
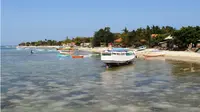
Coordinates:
<point>169,55</point>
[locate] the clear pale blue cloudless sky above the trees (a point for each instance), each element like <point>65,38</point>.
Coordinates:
<point>33,20</point>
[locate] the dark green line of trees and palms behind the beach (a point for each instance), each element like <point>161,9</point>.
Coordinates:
<point>149,36</point>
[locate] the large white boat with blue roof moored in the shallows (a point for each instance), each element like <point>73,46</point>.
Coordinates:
<point>117,56</point>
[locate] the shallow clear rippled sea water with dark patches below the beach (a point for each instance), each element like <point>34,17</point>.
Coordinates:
<point>42,82</point>
